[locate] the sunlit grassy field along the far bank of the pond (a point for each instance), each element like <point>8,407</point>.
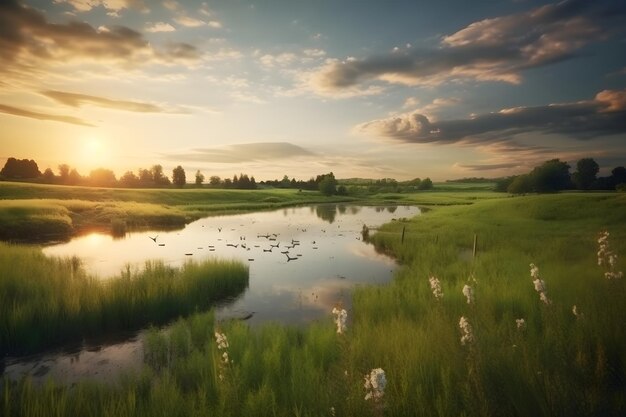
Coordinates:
<point>39,212</point>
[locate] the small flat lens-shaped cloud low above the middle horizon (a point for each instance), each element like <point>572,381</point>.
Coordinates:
<point>244,152</point>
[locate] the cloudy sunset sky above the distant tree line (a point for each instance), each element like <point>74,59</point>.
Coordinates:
<point>373,89</point>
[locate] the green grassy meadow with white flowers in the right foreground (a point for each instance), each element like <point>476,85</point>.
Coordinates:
<point>556,363</point>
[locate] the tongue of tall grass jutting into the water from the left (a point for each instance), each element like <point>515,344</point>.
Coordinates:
<point>45,300</point>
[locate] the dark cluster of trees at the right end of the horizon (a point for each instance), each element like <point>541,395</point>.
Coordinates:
<point>554,175</point>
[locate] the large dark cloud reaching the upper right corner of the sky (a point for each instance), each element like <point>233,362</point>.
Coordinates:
<point>497,49</point>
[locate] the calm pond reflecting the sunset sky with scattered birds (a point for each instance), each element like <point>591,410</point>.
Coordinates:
<point>303,261</point>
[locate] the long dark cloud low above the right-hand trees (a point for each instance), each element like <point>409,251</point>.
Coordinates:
<point>604,115</point>
